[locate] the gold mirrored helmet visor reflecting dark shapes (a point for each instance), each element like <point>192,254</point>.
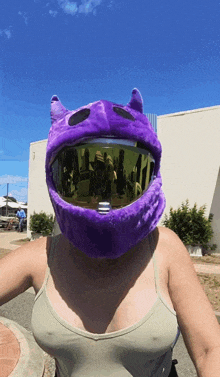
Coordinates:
<point>93,172</point>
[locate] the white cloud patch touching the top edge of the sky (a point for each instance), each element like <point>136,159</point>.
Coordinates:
<point>86,6</point>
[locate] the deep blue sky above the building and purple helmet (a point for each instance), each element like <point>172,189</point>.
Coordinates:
<point>99,49</point>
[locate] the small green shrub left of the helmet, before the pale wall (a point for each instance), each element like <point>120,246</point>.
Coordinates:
<point>41,223</point>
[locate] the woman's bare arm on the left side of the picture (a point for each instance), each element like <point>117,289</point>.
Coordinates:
<point>20,267</point>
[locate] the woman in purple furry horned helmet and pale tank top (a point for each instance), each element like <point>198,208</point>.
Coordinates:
<point>112,288</point>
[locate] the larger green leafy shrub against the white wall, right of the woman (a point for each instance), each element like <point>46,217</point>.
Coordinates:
<point>191,225</point>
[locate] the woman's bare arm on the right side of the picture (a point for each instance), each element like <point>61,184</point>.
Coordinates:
<point>197,321</point>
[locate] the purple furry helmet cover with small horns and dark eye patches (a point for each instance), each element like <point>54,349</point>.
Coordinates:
<point>113,234</point>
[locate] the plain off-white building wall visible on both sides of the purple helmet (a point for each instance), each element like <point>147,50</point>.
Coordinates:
<point>190,165</point>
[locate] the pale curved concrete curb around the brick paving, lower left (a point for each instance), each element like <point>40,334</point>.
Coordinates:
<point>31,360</point>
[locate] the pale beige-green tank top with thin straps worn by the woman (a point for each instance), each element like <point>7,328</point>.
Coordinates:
<point>141,350</point>
